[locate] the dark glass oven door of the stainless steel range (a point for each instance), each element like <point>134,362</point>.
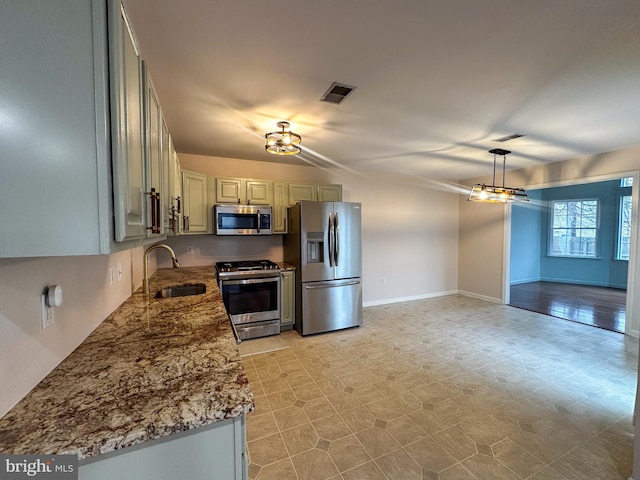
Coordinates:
<point>251,299</point>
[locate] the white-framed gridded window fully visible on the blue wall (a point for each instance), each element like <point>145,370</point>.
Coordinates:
<point>574,228</point>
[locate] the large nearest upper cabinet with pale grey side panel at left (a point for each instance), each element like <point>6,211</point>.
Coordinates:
<point>58,123</point>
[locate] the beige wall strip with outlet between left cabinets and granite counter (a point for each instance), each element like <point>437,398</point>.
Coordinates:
<point>28,354</point>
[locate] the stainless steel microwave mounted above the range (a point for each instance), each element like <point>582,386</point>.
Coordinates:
<point>242,219</point>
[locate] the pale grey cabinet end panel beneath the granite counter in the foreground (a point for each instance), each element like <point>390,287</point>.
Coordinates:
<point>214,452</point>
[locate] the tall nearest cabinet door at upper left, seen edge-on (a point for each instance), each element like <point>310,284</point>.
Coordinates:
<point>127,124</point>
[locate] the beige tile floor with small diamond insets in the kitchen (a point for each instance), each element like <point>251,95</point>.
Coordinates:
<point>450,388</point>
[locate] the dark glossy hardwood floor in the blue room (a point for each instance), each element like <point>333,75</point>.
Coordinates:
<point>598,306</point>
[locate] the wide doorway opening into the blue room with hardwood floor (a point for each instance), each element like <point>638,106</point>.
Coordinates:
<point>569,252</point>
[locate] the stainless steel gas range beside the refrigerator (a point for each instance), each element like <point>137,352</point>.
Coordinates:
<point>251,293</point>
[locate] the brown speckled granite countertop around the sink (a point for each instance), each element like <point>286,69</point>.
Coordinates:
<point>154,367</point>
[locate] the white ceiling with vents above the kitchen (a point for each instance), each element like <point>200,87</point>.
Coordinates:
<point>437,80</point>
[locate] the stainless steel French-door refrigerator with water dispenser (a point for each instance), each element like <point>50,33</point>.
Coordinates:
<point>324,244</point>
